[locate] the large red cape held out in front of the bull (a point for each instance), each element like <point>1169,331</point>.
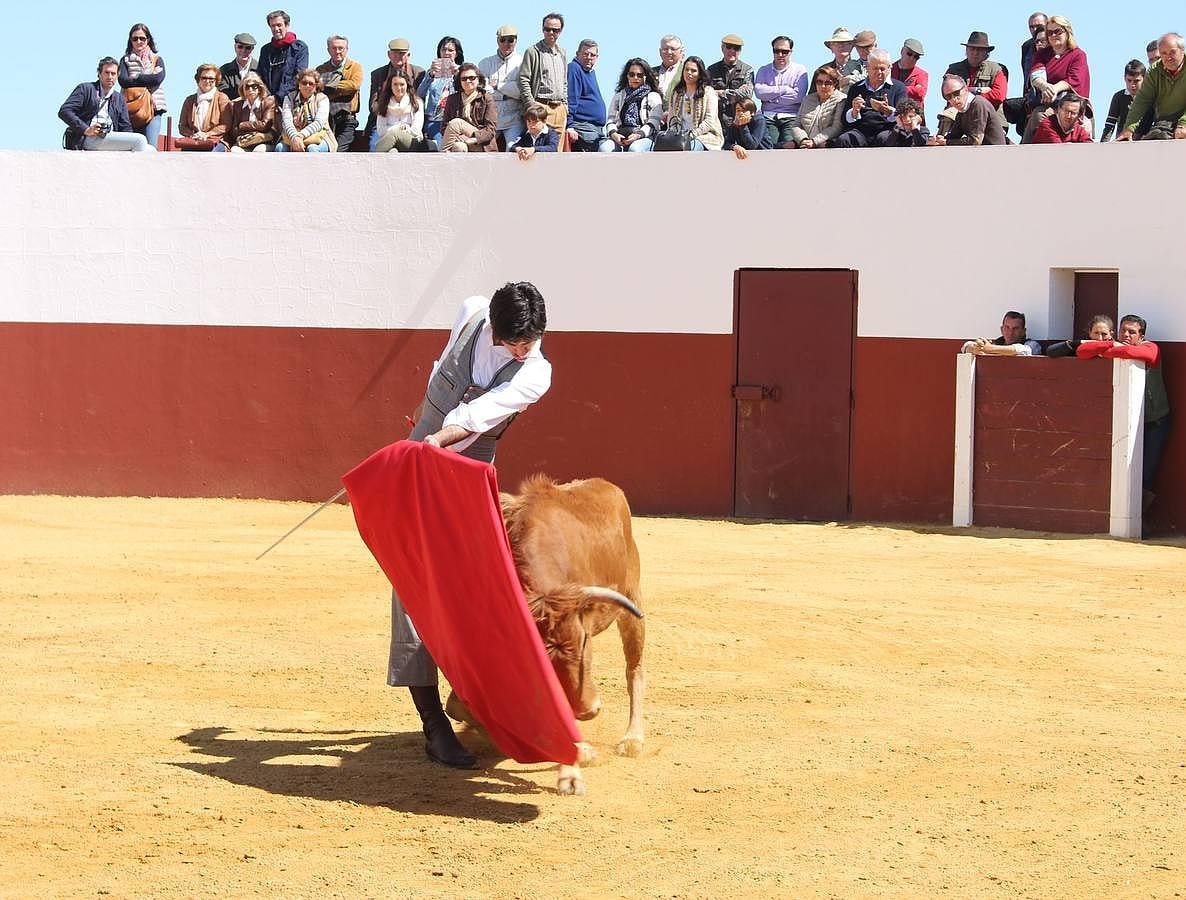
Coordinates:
<point>433,521</point>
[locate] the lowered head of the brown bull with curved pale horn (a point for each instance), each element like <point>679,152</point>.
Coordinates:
<point>566,621</point>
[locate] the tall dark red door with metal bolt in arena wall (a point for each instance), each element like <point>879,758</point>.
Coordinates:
<point>795,333</point>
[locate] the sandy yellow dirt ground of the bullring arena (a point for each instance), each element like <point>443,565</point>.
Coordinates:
<point>832,711</point>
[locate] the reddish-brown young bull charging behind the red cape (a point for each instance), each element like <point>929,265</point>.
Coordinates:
<point>578,564</point>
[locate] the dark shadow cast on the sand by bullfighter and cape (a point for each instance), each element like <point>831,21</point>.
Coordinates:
<point>375,770</point>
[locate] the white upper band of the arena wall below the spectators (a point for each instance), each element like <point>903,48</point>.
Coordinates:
<point>945,239</point>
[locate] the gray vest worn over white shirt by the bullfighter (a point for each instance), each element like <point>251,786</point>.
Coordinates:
<point>454,385</point>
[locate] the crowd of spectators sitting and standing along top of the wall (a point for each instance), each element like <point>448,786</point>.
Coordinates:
<point>270,98</point>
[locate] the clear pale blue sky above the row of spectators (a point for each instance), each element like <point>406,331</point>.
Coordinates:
<point>79,34</point>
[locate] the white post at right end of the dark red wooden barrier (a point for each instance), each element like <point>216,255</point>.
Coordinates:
<point>1128,448</point>
